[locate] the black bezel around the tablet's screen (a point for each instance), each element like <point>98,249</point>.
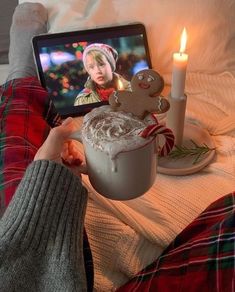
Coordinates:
<point>88,35</point>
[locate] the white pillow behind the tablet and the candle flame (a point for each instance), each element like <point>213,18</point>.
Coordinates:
<point>209,24</point>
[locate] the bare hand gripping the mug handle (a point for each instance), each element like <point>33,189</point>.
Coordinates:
<point>59,148</point>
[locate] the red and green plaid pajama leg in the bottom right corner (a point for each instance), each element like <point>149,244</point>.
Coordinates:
<point>201,258</point>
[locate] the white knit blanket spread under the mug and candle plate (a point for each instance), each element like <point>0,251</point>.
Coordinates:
<point>126,236</point>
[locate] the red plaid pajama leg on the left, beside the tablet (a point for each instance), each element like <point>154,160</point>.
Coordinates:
<point>26,115</point>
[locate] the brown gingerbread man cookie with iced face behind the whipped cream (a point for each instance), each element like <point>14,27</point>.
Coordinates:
<point>144,98</point>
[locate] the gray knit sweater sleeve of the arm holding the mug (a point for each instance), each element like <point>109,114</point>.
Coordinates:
<point>41,232</point>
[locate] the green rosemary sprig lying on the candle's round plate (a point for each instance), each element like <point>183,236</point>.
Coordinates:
<point>196,150</point>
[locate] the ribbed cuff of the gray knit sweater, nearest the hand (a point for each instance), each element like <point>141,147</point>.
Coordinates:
<point>47,209</point>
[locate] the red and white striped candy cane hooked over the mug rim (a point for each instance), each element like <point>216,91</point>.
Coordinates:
<point>157,129</point>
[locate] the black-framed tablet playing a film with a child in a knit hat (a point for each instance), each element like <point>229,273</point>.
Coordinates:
<point>67,75</point>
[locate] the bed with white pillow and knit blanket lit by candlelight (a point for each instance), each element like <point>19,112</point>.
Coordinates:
<point>126,236</point>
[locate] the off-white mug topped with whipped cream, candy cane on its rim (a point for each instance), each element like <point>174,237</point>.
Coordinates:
<point>121,151</point>
